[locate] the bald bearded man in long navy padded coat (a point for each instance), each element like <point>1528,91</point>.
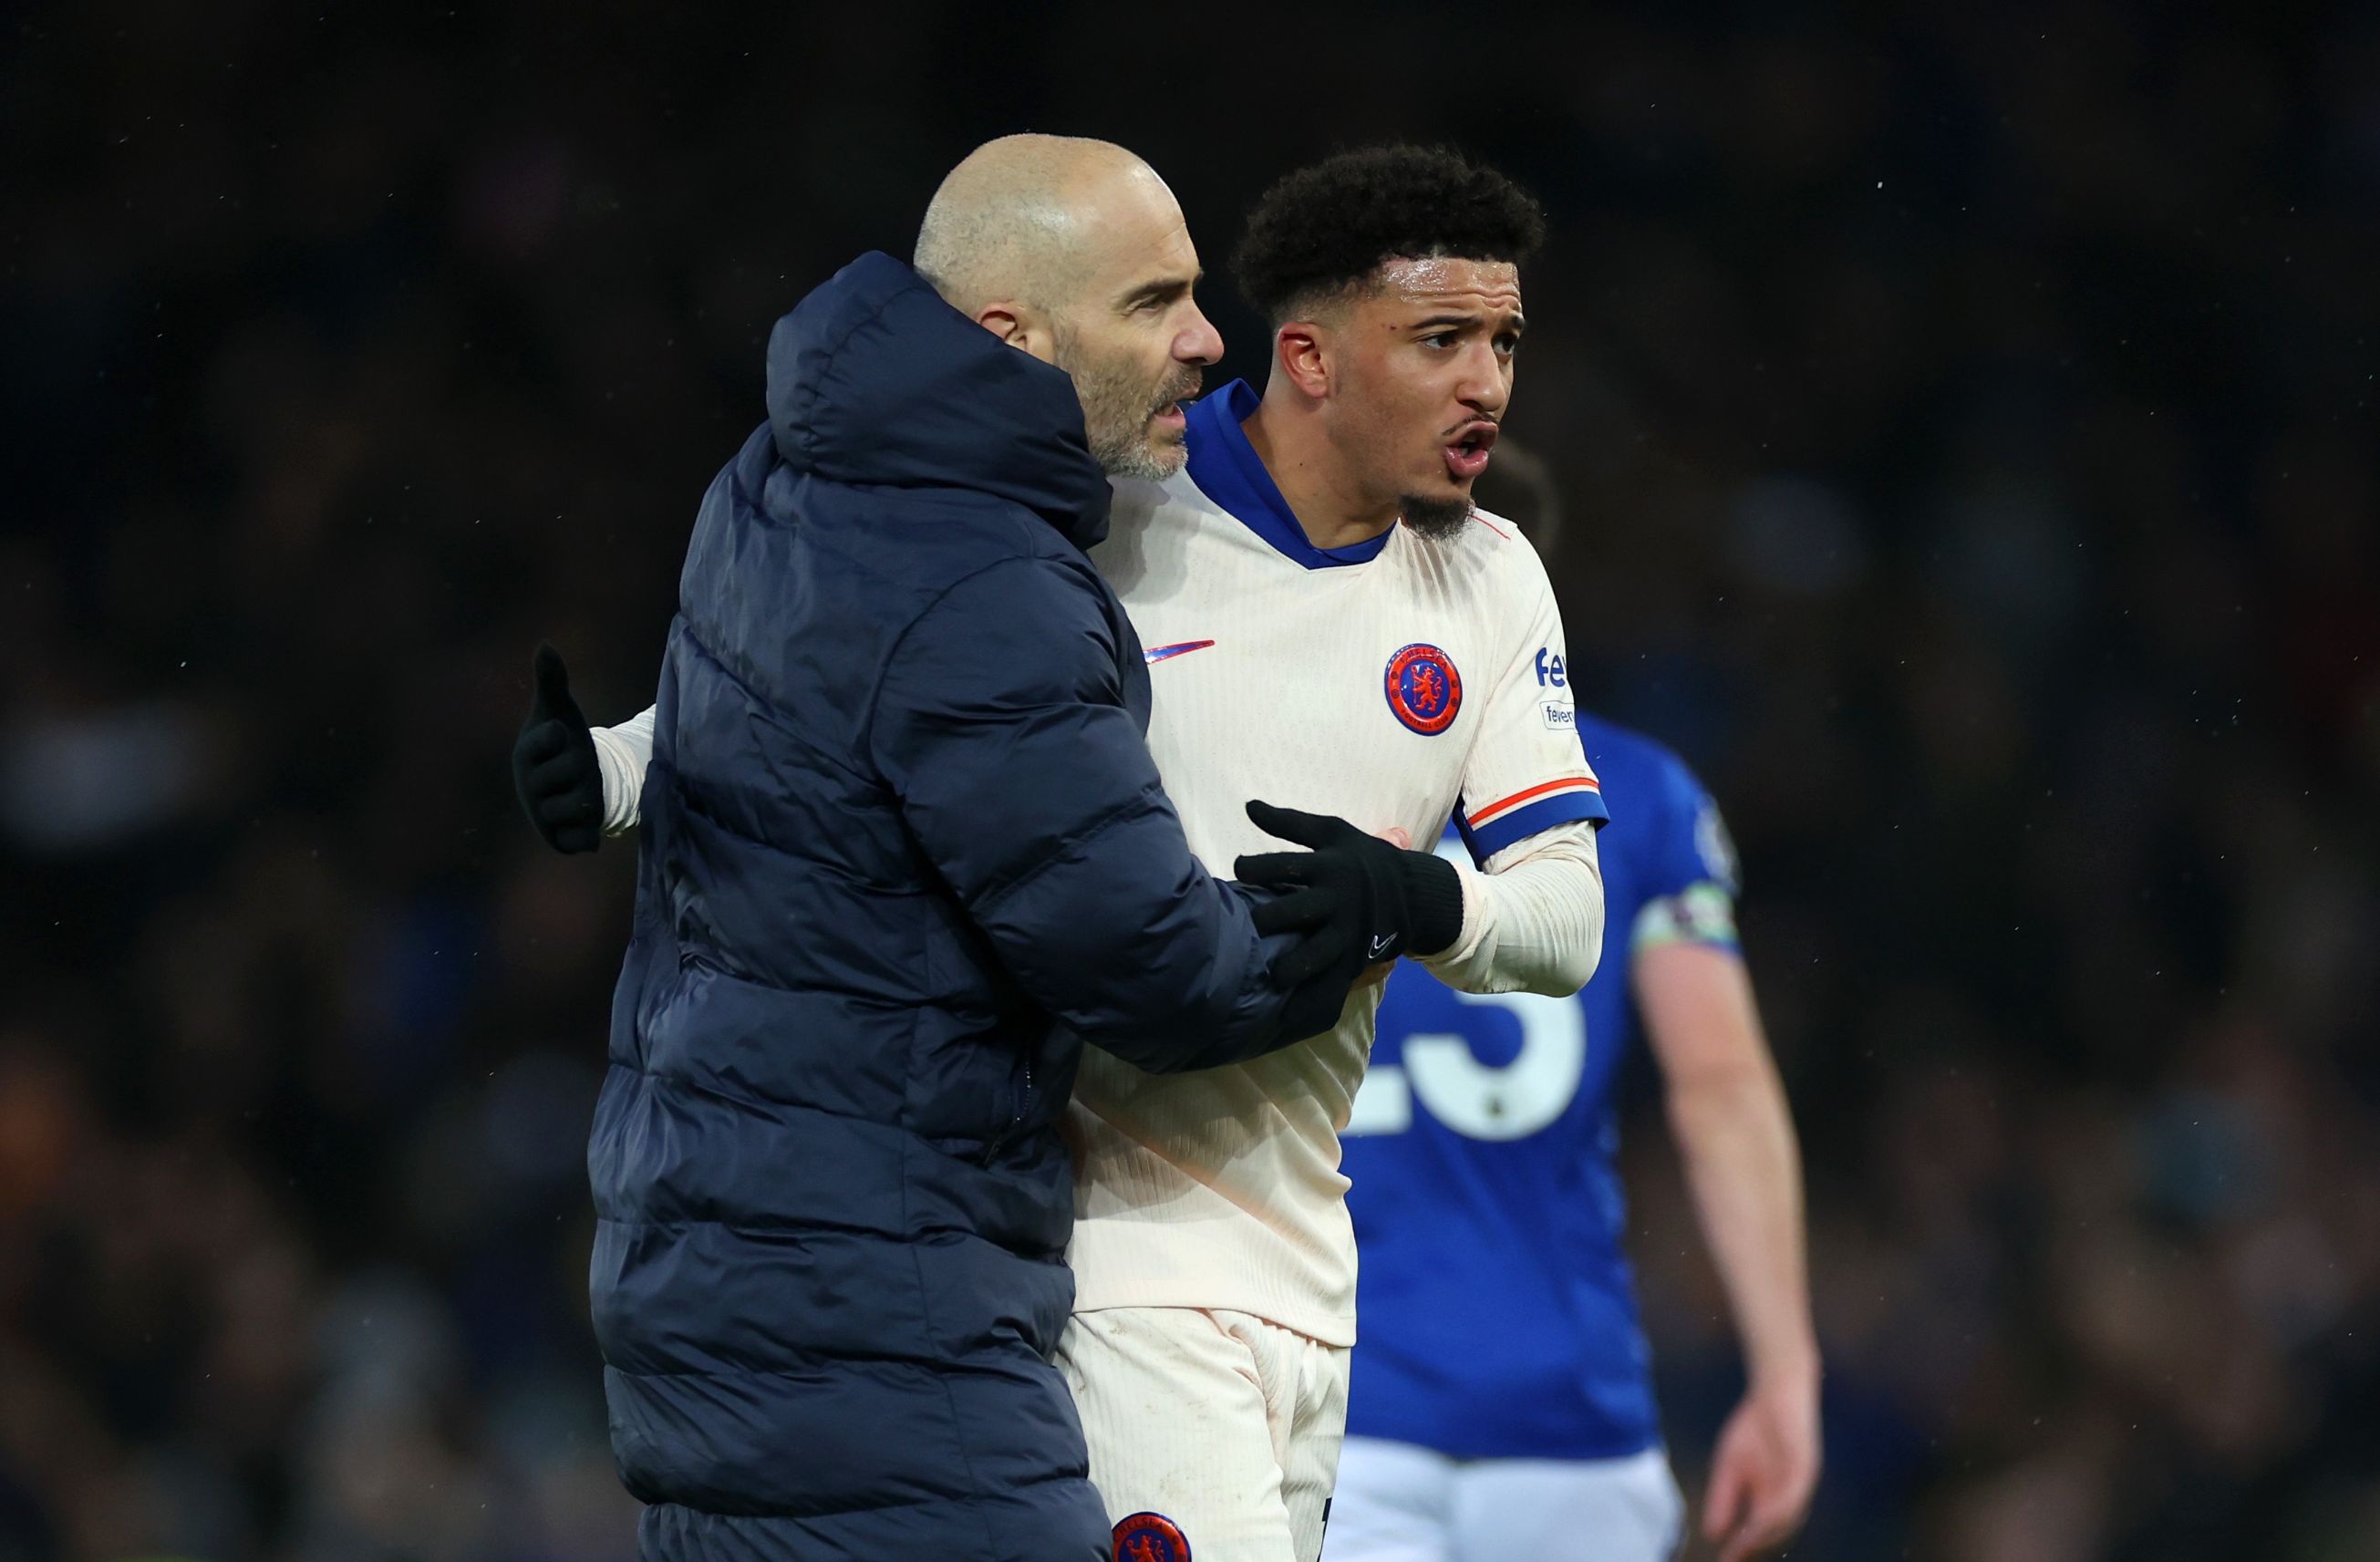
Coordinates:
<point>903,854</point>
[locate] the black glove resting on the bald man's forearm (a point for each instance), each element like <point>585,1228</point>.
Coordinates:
<point>1365,901</point>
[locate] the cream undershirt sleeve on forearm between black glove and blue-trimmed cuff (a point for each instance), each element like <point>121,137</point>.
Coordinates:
<point>1534,923</point>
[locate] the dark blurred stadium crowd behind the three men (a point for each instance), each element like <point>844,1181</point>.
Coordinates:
<point>1969,456</point>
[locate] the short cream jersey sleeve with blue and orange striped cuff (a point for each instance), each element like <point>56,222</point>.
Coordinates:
<point>1527,770</point>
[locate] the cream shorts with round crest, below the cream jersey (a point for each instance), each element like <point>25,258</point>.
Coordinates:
<point>1220,1427</point>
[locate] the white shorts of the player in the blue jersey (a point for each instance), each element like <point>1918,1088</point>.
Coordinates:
<point>1403,1504</point>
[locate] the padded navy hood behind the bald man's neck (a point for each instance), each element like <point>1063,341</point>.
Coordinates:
<point>875,380</point>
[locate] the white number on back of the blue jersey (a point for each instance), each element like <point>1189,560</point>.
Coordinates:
<point>1474,1099</point>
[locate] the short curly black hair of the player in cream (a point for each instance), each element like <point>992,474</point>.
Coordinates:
<point>1327,227</point>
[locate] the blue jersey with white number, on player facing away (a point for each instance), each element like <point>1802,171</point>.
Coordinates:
<point>1496,1306</point>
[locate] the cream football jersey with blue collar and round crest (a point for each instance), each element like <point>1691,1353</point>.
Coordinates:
<point>1391,685</point>
